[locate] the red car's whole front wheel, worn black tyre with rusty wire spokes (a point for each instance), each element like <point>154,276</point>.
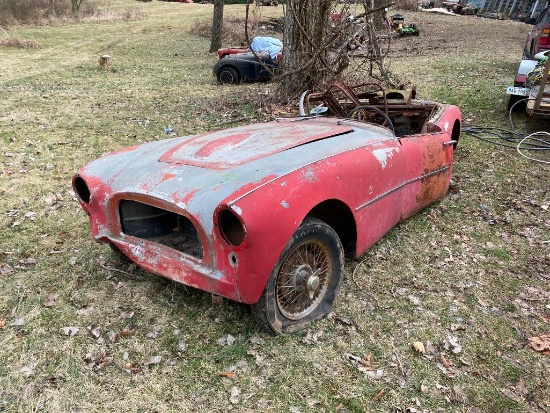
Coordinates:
<point>305,280</point>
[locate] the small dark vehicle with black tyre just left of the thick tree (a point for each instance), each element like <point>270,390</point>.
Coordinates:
<point>244,67</point>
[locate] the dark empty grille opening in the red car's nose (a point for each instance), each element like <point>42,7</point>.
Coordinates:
<point>158,225</point>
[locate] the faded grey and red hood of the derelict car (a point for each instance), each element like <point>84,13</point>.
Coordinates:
<point>197,173</point>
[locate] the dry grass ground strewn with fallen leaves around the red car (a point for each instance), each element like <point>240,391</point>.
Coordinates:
<point>474,266</point>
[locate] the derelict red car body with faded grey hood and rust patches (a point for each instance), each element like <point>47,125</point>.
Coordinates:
<point>216,211</point>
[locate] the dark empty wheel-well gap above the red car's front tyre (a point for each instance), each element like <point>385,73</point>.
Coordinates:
<point>339,217</point>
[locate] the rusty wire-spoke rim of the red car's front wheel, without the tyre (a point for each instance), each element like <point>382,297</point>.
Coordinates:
<point>303,279</point>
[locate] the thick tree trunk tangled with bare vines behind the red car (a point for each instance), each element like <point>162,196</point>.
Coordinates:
<point>321,39</point>
